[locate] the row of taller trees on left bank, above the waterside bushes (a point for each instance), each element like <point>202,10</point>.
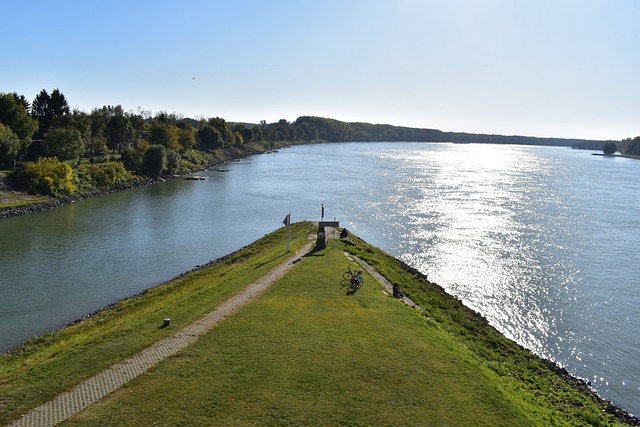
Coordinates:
<point>47,127</point>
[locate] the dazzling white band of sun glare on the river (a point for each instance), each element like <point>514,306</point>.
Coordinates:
<point>466,212</point>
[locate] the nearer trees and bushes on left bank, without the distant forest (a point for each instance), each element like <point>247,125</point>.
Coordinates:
<point>58,149</point>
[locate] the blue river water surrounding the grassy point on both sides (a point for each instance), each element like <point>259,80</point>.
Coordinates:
<point>541,240</point>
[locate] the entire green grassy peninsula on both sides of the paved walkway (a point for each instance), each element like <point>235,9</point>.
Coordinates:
<point>303,353</point>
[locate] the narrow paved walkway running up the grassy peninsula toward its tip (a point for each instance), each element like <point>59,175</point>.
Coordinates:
<point>95,388</point>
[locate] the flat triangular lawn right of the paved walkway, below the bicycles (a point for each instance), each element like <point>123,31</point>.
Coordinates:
<point>307,353</point>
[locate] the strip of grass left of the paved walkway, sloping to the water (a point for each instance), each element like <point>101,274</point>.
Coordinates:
<point>51,363</point>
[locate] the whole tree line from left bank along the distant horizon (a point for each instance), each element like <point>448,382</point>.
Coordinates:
<point>45,131</point>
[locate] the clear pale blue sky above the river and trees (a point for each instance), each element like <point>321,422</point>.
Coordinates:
<point>566,68</point>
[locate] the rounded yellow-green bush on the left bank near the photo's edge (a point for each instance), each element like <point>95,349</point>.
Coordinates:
<point>47,176</point>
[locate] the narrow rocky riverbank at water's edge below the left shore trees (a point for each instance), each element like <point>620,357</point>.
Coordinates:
<point>15,203</point>
